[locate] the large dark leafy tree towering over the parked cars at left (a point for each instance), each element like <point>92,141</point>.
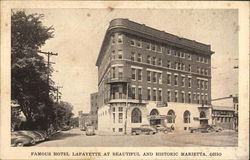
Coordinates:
<point>29,85</point>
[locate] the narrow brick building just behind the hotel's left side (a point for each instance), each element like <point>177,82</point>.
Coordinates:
<point>94,109</point>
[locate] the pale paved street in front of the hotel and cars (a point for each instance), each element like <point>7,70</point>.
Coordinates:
<point>77,138</point>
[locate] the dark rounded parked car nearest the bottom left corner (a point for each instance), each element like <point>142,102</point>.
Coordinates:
<point>18,140</point>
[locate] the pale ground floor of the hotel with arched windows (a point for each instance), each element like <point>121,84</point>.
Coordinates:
<point>121,118</point>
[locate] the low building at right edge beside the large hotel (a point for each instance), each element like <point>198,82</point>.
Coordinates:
<point>225,112</point>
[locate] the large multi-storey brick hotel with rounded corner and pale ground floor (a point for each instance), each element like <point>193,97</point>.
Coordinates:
<point>147,76</point>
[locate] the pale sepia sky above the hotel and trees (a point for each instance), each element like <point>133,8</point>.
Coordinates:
<point>79,34</point>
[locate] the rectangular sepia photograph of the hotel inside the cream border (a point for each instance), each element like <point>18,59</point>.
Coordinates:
<point>124,78</point>
